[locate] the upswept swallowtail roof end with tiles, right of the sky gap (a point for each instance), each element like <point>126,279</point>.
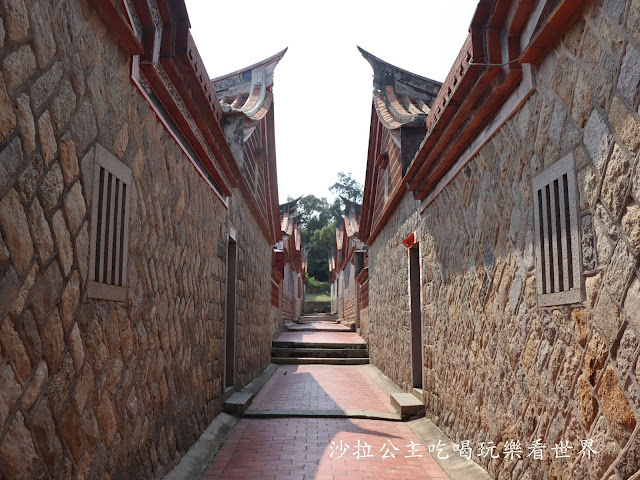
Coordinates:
<point>400,97</point>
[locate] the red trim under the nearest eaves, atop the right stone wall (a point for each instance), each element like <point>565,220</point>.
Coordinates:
<point>495,35</point>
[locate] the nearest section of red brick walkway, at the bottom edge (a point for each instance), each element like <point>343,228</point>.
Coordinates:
<point>322,449</point>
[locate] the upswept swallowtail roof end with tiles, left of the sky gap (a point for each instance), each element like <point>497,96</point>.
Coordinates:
<point>248,91</point>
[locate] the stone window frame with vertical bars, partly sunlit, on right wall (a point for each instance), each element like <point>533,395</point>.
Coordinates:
<point>557,237</point>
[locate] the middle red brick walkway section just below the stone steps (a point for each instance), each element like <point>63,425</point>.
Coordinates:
<point>321,387</point>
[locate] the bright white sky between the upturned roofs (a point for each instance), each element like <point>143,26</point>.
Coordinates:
<point>322,86</point>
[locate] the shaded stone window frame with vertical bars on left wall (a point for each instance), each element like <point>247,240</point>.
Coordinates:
<point>107,244</point>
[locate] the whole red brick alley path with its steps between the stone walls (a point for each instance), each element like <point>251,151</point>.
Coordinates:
<point>325,421</point>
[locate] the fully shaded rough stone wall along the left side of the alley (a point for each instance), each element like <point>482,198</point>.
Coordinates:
<point>94,388</point>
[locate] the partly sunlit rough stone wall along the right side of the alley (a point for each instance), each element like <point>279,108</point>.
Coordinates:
<point>498,367</point>
